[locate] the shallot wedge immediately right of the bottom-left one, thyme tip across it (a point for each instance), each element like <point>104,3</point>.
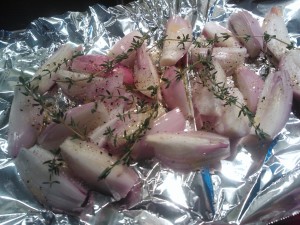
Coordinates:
<point>88,162</point>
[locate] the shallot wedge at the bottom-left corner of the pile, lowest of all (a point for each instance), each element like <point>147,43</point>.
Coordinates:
<point>60,191</point>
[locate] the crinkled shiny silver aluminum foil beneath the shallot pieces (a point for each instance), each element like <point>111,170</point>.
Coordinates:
<point>259,184</point>
